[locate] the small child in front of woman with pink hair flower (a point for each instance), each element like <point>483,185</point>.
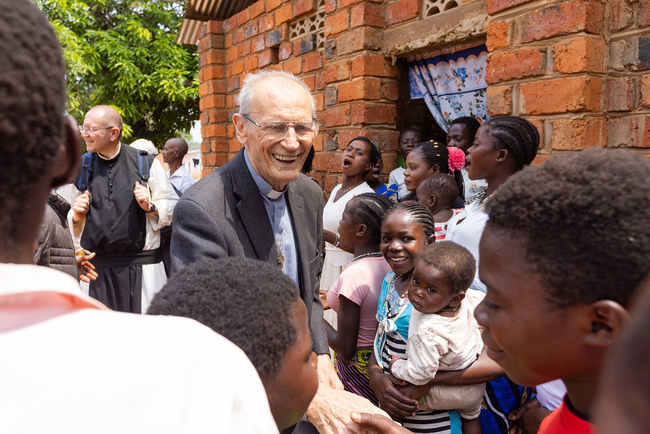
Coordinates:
<point>438,193</point>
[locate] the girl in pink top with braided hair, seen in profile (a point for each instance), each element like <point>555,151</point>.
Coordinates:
<point>355,293</point>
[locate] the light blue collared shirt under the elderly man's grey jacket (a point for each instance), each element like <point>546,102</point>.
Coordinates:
<point>278,213</point>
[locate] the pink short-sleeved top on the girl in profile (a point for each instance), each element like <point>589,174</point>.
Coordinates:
<point>360,282</point>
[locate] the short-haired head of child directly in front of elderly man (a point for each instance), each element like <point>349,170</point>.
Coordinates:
<point>257,307</point>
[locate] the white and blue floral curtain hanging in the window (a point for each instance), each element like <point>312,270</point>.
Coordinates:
<point>452,85</point>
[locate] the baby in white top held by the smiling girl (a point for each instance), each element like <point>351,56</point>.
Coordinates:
<point>443,333</point>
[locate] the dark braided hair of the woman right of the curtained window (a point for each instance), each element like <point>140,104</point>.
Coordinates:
<point>515,134</point>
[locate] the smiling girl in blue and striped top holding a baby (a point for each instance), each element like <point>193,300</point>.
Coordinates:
<point>406,229</point>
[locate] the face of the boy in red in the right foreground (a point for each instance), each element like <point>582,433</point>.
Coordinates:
<point>533,340</point>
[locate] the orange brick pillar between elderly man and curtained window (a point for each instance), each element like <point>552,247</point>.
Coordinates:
<point>360,84</point>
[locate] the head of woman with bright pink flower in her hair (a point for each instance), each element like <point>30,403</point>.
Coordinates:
<point>429,158</point>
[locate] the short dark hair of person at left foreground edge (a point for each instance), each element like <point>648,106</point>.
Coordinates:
<point>32,105</point>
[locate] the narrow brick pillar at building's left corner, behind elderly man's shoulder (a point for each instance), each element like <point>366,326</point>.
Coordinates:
<point>212,90</point>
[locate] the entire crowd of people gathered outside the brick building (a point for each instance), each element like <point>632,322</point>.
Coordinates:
<point>472,293</point>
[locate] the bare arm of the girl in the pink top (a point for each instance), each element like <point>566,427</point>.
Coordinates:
<point>344,341</point>
